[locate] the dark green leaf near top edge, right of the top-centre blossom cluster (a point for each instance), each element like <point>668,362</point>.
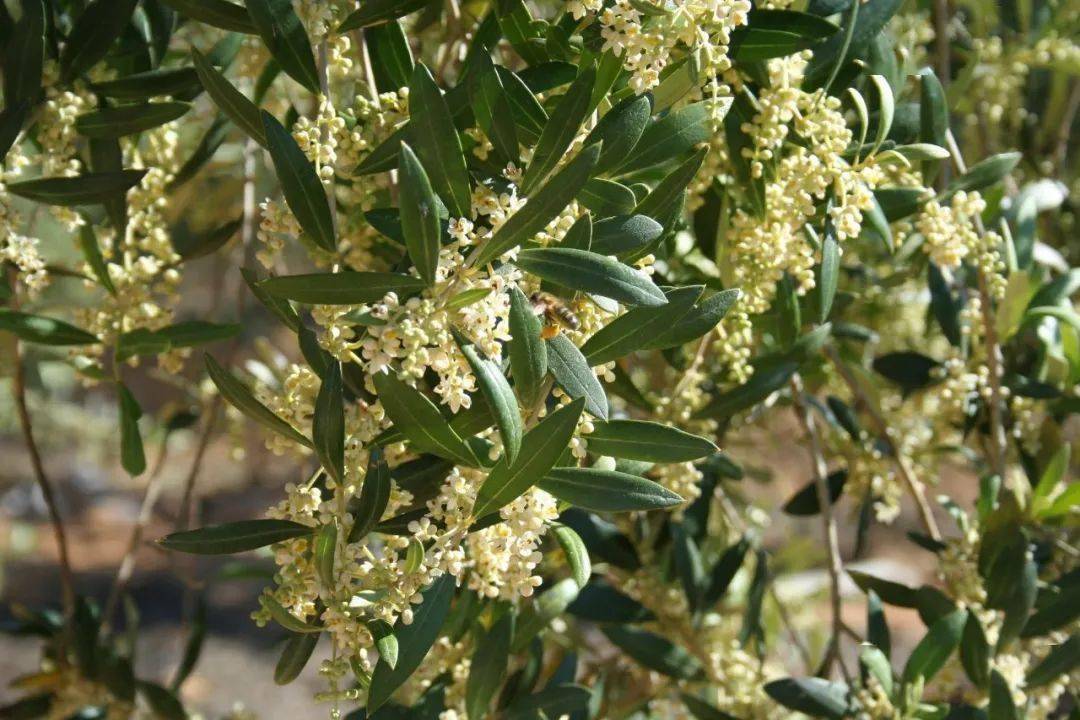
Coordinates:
<point>778,33</point>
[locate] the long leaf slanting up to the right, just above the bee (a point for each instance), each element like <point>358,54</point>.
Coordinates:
<point>543,208</point>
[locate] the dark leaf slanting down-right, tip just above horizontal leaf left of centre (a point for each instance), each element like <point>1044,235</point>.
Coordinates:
<point>304,192</point>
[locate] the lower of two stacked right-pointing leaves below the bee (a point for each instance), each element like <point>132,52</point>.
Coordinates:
<point>607,492</point>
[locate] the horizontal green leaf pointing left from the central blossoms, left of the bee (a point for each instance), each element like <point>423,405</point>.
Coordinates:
<point>341,289</point>
